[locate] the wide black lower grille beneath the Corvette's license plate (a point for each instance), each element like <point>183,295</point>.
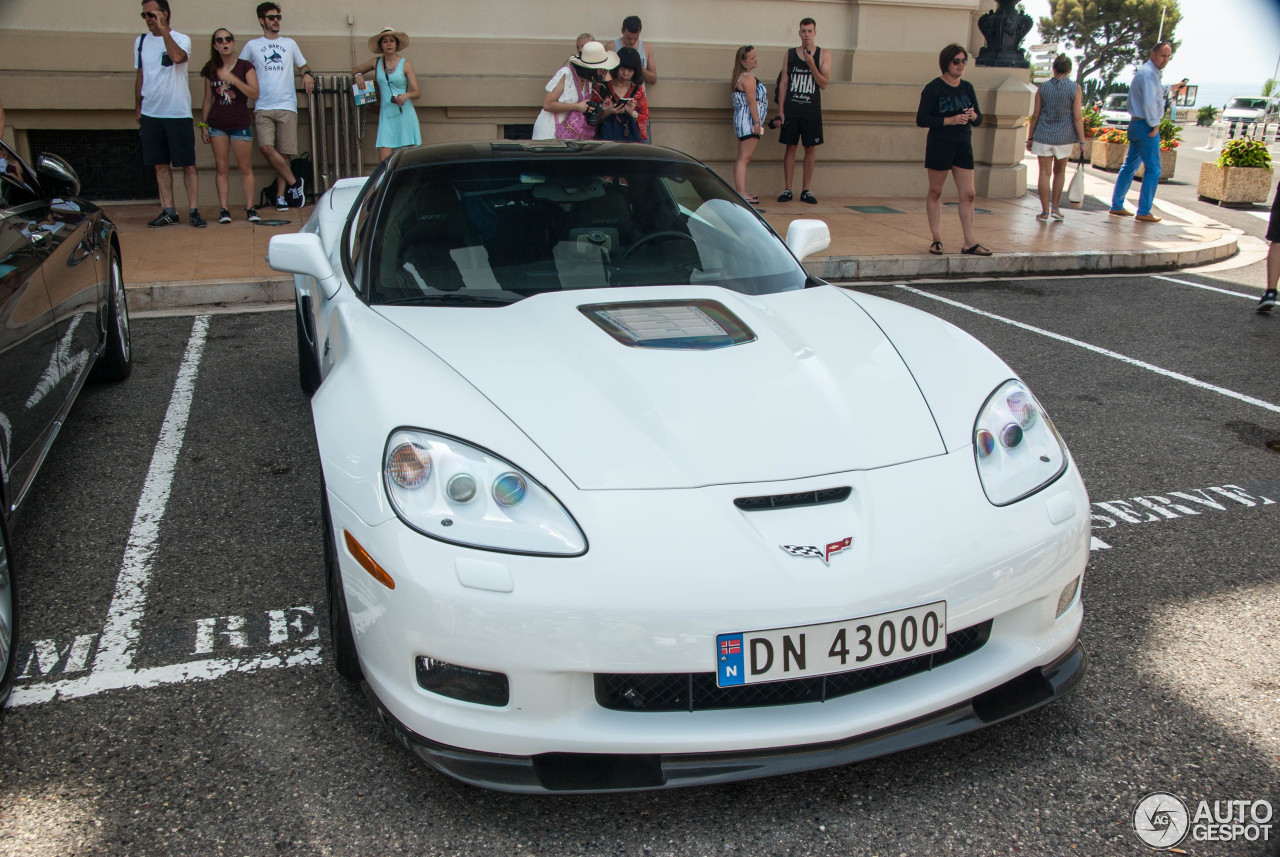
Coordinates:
<point>698,691</point>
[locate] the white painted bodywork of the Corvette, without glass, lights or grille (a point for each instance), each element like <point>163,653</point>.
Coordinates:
<point>648,452</point>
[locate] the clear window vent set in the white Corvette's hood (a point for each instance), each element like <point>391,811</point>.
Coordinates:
<point>685,326</point>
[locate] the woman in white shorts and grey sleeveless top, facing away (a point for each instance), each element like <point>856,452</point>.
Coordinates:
<point>1057,126</point>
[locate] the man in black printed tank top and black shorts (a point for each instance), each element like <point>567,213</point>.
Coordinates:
<point>806,74</point>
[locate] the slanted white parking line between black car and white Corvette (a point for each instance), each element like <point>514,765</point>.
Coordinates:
<point>121,634</point>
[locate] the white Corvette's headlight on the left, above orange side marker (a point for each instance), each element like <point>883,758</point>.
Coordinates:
<point>461,494</point>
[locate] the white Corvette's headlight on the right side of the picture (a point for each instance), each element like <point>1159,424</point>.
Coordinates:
<point>1017,447</point>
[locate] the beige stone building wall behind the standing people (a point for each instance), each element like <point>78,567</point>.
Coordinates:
<point>66,74</point>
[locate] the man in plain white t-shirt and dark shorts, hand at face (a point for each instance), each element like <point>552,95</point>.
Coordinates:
<point>164,109</point>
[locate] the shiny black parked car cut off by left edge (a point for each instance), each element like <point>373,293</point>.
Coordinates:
<point>62,319</point>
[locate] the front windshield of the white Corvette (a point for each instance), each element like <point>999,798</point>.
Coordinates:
<point>488,233</point>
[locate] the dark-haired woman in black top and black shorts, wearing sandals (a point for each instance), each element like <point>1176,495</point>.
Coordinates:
<point>949,109</point>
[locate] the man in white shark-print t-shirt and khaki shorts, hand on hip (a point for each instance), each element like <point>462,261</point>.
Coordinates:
<point>276,117</point>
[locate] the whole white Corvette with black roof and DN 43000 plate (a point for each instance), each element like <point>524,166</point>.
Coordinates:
<point>619,498</point>
